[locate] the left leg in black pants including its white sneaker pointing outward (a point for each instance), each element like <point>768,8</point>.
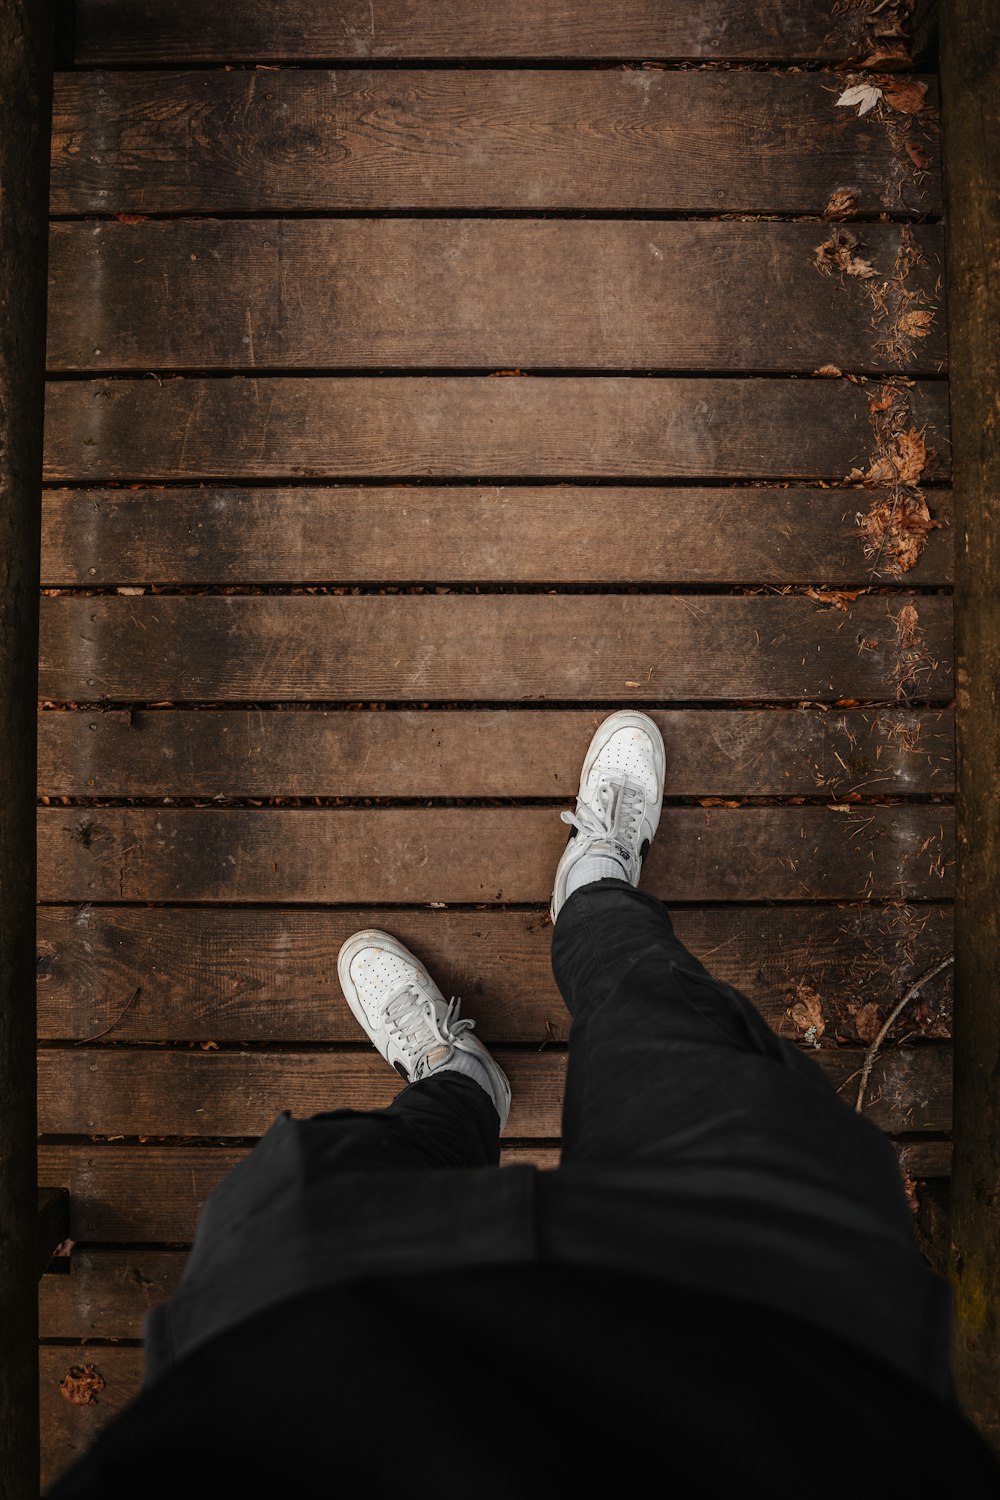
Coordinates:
<point>344,1192</point>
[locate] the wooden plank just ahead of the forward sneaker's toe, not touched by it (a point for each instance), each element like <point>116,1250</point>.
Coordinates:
<point>621,647</point>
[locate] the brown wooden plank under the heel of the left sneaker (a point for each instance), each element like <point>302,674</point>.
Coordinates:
<point>125,1093</point>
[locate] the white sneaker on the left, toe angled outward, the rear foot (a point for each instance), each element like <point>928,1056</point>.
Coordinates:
<point>407,1016</point>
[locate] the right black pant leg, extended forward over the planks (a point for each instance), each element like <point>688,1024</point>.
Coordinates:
<point>702,1147</point>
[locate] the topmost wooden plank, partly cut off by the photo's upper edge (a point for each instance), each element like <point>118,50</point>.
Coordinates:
<point>125,32</point>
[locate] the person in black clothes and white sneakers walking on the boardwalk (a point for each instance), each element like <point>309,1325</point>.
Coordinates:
<point>717,1288</point>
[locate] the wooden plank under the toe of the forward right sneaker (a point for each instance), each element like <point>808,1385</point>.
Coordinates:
<point>235,754</point>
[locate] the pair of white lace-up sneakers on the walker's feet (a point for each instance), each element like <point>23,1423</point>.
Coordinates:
<point>391,992</point>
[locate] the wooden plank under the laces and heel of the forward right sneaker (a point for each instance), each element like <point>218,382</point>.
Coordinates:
<point>482,854</point>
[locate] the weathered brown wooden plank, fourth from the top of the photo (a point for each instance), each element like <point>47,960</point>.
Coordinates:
<point>398,427</point>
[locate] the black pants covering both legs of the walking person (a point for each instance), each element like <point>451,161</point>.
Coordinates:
<point>698,1147</point>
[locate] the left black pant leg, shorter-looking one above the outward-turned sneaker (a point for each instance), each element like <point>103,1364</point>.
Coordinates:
<point>344,1195</point>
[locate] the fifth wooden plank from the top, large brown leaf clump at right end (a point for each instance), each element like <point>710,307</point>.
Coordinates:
<point>504,535</point>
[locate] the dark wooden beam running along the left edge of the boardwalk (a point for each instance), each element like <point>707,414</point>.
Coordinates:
<point>26,82</point>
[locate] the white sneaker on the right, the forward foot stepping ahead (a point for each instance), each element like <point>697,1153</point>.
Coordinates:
<point>620,800</point>
